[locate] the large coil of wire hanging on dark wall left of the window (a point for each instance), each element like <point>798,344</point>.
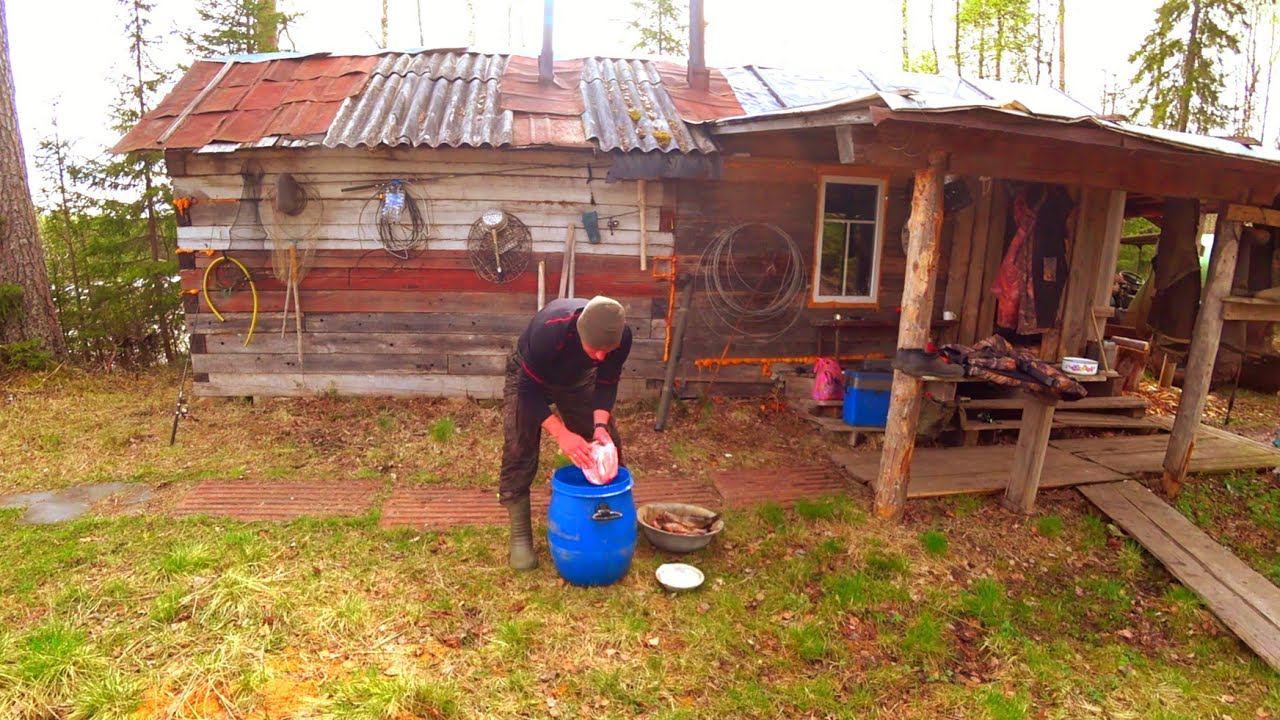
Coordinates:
<point>757,294</point>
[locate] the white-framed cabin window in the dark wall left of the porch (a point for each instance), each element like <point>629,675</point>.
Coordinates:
<point>848,245</point>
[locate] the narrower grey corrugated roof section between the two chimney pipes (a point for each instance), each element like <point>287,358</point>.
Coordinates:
<point>627,108</point>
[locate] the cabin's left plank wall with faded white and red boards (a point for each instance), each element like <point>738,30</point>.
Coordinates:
<point>377,325</point>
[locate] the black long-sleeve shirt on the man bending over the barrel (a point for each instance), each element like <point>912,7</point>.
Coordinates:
<point>551,357</point>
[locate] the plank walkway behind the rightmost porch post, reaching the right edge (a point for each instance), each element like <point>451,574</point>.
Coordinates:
<point>1215,452</point>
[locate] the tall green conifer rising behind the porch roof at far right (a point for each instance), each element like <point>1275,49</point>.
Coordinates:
<point>1181,76</point>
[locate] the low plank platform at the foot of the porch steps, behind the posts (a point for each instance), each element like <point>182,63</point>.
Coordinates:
<point>954,471</point>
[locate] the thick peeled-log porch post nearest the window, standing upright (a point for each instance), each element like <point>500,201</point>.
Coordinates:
<point>904,405</point>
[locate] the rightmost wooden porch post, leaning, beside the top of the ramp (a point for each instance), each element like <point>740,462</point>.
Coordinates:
<point>1204,352</point>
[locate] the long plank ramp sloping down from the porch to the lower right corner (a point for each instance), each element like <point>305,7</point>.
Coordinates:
<point>1246,601</point>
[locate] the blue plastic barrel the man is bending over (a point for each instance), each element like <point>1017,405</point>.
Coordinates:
<point>592,530</point>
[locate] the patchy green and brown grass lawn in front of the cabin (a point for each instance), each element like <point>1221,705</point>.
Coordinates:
<point>962,612</point>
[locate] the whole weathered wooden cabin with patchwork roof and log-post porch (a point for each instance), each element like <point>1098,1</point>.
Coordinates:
<point>813,217</point>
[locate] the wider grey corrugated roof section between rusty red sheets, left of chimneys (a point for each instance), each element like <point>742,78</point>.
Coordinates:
<point>427,99</point>
